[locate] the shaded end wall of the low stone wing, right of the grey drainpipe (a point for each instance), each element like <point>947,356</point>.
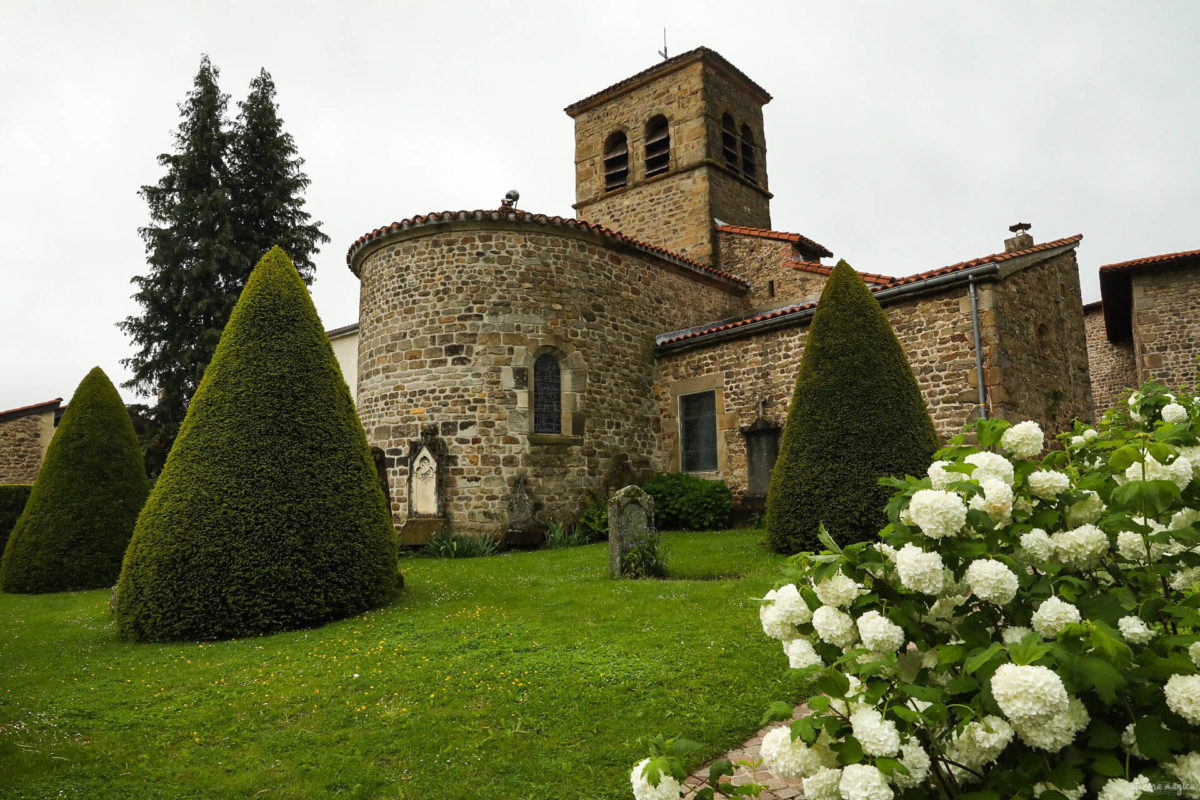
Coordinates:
<point>1039,368</point>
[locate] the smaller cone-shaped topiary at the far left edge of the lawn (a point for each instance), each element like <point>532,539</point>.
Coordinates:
<point>82,509</point>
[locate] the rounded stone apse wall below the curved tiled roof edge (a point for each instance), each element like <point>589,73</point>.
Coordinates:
<point>453,316</point>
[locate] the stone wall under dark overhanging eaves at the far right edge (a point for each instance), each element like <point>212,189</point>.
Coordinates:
<point>1167,324</point>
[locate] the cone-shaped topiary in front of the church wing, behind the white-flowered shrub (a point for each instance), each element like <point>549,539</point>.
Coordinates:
<point>856,417</point>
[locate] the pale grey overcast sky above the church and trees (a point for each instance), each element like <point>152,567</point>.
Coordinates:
<point>903,136</point>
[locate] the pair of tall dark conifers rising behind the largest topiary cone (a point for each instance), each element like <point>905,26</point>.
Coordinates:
<point>227,197</point>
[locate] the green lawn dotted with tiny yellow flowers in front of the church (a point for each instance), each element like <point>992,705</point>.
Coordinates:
<point>520,676</point>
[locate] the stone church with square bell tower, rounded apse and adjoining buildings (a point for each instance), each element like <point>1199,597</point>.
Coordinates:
<point>508,360</point>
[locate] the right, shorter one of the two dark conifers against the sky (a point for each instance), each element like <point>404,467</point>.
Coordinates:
<point>269,184</point>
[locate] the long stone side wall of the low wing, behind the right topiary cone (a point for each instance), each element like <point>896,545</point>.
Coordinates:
<point>935,333</point>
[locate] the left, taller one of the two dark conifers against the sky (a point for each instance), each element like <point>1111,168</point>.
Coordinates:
<point>194,260</point>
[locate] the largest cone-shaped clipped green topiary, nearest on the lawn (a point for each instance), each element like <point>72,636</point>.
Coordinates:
<point>268,514</point>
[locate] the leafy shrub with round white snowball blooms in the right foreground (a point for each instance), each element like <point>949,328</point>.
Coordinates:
<point>1027,627</point>
